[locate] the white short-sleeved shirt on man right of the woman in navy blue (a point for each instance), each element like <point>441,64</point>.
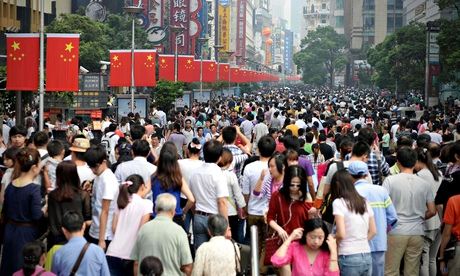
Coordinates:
<point>207,185</point>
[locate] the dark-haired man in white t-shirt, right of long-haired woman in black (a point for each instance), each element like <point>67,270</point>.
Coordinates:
<point>104,197</point>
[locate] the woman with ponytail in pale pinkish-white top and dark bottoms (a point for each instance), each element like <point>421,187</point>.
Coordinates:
<point>133,212</point>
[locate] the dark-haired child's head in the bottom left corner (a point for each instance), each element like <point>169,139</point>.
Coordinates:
<point>34,258</point>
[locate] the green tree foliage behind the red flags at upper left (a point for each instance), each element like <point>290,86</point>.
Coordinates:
<point>96,38</point>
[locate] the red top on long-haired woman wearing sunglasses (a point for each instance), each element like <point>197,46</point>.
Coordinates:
<point>291,213</point>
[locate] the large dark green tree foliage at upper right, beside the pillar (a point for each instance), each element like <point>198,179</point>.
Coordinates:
<point>400,59</point>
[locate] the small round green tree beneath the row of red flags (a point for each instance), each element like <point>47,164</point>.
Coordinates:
<point>166,92</point>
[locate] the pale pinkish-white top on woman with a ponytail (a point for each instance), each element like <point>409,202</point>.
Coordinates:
<point>126,230</point>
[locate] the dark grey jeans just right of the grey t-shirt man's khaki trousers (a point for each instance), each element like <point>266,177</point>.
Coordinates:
<point>431,245</point>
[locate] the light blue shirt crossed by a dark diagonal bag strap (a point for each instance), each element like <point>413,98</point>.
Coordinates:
<point>93,263</point>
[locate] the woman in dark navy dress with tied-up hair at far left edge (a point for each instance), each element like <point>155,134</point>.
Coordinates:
<point>22,209</point>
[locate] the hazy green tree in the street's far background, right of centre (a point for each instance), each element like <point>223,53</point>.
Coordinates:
<point>322,56</point>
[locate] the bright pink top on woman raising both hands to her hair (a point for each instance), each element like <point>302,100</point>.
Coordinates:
<point>297,257</point>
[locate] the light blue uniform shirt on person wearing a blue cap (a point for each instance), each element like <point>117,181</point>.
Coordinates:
<point>384,212</point>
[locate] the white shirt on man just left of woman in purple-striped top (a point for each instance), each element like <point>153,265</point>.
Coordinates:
<point>256,205</point>
